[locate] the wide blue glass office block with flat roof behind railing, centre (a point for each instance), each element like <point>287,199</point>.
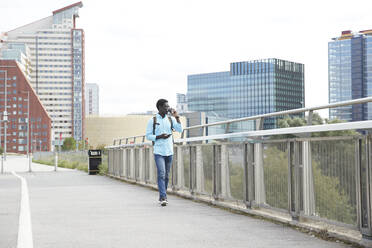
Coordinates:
<point>248,89</point>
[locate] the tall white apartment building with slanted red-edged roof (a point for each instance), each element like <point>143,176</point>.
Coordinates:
<point>57,67</point>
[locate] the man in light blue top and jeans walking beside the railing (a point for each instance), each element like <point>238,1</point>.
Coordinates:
<point>159,131</point>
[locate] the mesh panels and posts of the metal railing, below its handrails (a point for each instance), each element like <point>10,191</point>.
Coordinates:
<point>260,173</point>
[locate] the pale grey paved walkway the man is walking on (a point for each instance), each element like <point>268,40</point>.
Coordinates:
<point>72,209</point>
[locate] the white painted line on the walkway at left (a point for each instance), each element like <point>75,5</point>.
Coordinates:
<point>24,229</point>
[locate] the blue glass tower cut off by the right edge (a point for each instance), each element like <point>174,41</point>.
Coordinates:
<point>350,74</point>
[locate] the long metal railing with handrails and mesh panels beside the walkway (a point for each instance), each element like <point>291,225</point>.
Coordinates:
<point>328,179</point>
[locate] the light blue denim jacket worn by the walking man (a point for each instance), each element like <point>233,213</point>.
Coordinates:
<point>162,147</point>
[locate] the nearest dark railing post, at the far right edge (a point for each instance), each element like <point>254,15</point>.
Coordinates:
<point>364,188</point>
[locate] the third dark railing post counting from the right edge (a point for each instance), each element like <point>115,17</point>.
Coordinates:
<point>248,174</point>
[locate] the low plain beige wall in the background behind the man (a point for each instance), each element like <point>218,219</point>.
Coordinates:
<point>103,130</point>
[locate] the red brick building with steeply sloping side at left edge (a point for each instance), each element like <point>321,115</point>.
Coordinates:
<point>17,125</point>
